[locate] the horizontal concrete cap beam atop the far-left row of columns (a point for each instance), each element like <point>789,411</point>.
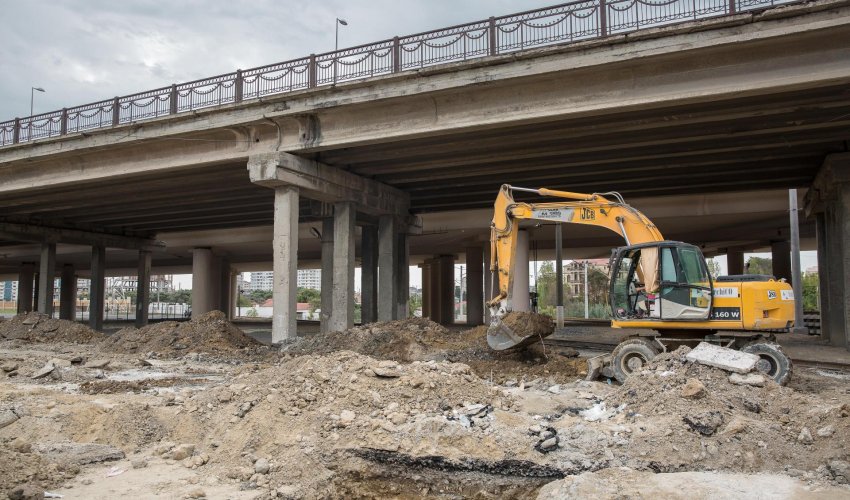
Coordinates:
<point>27,232</point>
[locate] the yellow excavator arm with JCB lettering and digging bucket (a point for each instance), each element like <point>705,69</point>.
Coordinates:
<point>607,210</point>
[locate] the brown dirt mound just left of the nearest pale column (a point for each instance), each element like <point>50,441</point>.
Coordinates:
<point>211,333</point>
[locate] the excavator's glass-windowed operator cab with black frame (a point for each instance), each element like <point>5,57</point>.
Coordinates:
<point>660,281</point>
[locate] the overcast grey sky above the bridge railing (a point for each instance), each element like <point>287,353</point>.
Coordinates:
<point>81,51</point>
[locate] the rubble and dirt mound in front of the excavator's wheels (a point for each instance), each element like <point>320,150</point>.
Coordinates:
<point>695,416</point>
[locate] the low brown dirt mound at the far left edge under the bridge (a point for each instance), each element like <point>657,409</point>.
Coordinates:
<point>36,327</point>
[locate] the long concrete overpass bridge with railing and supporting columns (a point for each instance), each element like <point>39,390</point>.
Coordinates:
<point>705,113</point>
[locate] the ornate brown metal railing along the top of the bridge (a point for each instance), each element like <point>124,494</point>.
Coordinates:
<point>570,22</point>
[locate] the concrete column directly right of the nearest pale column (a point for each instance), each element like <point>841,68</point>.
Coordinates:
<point>342,312</point>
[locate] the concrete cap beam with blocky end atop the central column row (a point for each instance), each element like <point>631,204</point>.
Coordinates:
<point>325,183</point>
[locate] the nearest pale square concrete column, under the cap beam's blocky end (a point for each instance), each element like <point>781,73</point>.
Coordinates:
<point>285,267</point>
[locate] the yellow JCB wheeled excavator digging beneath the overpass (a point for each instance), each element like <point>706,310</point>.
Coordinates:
<point>663,287</point>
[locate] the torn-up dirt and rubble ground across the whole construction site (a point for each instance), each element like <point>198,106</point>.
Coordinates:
<point>405,409</point>
